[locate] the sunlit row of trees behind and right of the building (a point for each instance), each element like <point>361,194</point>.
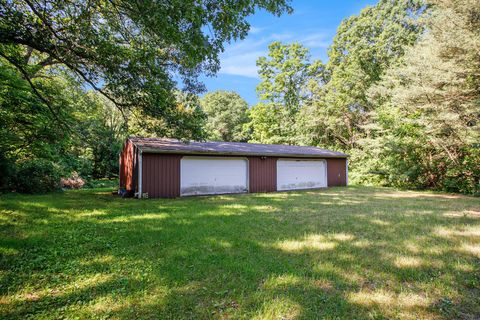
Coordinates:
<point>400,94</point>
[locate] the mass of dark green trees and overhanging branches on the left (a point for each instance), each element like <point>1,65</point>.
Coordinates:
<point>77,77</point>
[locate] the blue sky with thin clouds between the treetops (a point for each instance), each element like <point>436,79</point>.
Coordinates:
<point>313,24</point>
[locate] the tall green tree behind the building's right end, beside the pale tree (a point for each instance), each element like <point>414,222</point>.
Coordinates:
<point>365,46</point>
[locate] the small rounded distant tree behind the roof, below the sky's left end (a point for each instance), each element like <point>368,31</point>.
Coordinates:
<point>226,115</point>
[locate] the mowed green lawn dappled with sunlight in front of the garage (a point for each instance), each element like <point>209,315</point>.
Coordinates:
<point>340,253</point>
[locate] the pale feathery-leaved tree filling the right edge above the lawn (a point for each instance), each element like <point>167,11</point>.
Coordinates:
<point>428,119</point>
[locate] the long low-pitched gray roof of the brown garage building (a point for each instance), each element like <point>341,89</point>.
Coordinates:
<point>164,145</point>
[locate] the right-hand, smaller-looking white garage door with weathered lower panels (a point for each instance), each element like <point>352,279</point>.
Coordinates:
<point>301,174</point>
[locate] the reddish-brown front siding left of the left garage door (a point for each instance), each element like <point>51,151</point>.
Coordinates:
<point>161,175</point>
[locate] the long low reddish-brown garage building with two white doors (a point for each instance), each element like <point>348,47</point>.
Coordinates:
<point>168,168</point>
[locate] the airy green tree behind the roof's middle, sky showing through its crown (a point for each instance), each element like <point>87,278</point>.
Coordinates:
<point>287,75</point>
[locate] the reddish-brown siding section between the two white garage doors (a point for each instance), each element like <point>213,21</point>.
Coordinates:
<point>262,174</point>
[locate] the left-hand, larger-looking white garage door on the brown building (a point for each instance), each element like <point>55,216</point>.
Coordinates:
<point>201,175</point>
